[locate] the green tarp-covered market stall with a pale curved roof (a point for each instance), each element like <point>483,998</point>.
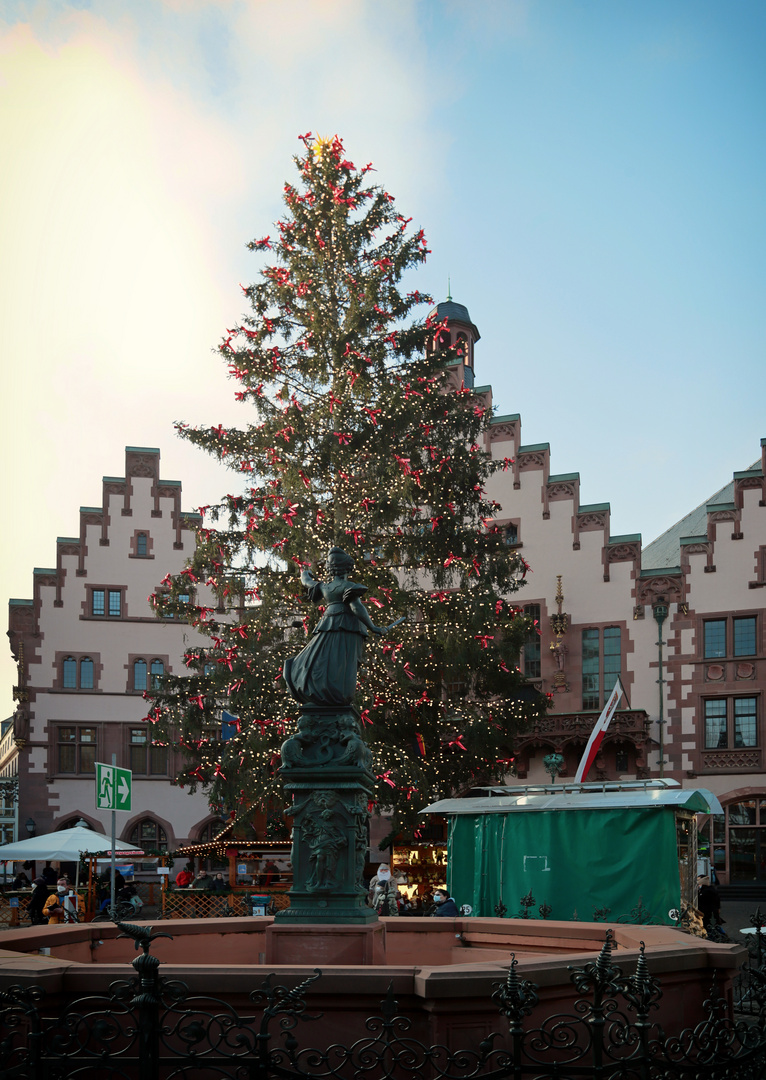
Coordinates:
<point>628,852</point>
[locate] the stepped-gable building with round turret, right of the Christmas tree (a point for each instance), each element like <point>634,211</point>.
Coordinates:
<point>681,622</point>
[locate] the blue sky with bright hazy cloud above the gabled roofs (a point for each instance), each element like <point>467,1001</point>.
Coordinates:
<point>590,178</point>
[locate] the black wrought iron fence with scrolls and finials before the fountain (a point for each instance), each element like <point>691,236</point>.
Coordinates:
<point>153,1029</point>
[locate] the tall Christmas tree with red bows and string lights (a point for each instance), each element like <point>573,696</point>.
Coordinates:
<point>359,440</point>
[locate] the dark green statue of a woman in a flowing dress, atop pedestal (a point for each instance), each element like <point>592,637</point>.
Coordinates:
<point>325,673</point>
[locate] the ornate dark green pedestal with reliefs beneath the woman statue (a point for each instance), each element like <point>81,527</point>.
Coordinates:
<point>326,766</point>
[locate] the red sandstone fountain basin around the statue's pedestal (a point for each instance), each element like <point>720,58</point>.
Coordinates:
<point>442,971</point>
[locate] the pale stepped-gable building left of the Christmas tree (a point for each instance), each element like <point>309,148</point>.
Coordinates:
<point>87,646</point>
